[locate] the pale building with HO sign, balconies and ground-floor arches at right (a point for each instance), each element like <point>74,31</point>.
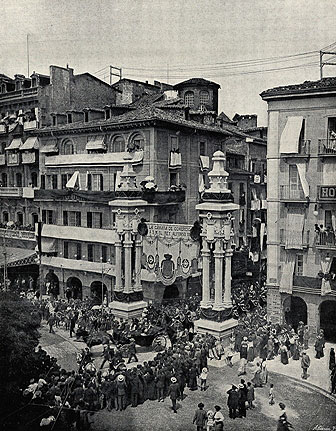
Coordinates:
<point>301,163</point>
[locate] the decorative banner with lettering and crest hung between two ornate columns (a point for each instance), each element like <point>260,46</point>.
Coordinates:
<point>170,252</point>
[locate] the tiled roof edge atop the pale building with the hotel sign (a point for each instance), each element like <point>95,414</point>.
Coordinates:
<point>325,85</point>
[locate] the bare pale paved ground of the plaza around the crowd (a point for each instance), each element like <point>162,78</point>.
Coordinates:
<point>308,404</point>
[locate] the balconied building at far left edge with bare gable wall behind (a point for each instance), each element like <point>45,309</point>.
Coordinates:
<point>27,105</point>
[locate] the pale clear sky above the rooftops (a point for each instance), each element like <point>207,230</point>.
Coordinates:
<point>236,43</point>
